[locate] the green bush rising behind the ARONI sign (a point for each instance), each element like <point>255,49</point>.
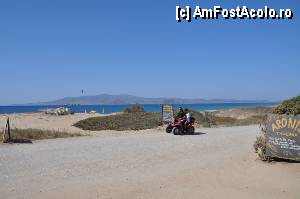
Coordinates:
<point>291,106</point>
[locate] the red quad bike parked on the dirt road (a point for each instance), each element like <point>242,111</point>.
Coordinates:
<point>178,127</point>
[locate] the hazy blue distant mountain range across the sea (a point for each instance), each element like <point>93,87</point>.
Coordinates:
<point>106,99</point>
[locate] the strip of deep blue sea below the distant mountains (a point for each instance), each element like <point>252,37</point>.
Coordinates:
<point>107,109</point>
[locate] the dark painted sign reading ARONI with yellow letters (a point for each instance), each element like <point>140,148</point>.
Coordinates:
<point>283,137</point>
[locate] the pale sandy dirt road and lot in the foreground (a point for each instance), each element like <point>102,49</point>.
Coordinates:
<point>216,163</point>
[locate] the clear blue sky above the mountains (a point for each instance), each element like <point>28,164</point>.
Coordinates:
<point>53,49</point>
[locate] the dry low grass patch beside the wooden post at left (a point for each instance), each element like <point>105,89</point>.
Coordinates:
<point>26,135</point>
